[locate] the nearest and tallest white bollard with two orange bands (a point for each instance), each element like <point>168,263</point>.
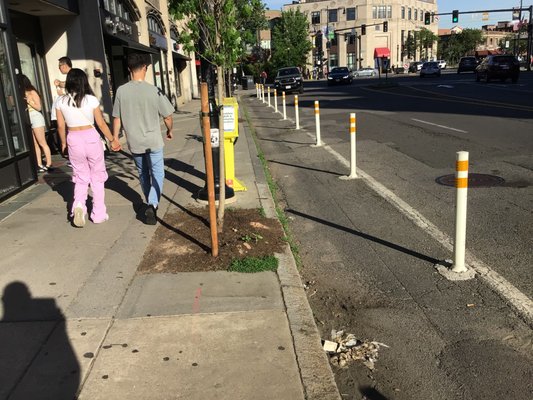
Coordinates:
<point>461,185</point>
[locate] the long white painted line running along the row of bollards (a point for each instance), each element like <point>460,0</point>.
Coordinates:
<point>517,300</point>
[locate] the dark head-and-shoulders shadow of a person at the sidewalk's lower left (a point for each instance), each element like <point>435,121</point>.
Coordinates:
<point>36,357</point>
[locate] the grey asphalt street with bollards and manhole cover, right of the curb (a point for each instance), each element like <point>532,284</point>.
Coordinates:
<point>368,246</point>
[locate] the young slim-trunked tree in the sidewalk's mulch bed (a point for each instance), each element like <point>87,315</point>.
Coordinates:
<point>211,31</point>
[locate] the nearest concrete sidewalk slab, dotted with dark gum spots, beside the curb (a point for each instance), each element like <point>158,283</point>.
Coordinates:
<point>245,355</point>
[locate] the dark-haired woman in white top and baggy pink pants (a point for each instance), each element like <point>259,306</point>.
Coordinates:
<point>77,111</point>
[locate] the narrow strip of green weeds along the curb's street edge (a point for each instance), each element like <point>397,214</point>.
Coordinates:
<point>289,238</point>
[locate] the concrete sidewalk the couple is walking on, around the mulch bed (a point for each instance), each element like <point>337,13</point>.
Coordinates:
<point>77,319</point>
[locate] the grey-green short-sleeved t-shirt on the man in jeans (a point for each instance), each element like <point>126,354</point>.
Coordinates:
<point>140,106</point>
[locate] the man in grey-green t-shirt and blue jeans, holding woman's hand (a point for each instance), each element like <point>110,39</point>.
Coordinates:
<point>138,108</point>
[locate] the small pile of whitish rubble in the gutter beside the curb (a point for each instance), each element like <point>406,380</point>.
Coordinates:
<point>344,349</point>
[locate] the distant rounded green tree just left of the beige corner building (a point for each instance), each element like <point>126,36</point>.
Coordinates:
<point>290,42</point>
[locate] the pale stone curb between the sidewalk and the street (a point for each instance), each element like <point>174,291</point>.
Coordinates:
<point>315,372</point>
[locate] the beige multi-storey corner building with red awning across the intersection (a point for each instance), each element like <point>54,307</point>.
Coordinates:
<point>354,33</point>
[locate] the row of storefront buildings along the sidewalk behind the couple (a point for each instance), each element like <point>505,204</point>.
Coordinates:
<point>97,35</point>
